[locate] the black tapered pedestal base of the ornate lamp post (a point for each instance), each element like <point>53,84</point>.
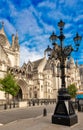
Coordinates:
<point>64,113</point>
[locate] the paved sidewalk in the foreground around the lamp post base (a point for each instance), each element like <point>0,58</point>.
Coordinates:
<point>41,123</point>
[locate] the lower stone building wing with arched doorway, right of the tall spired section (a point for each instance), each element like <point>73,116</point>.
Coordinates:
<point>41,79</point>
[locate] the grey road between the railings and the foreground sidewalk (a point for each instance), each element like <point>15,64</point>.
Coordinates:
<point>10,115</point>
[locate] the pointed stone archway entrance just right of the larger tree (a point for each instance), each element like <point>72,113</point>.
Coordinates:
<point>23,92</point>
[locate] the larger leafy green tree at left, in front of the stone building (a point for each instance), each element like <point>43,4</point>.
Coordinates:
<point>9,85</point>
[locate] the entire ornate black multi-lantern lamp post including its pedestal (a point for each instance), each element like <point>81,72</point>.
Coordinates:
<point>64,112</point>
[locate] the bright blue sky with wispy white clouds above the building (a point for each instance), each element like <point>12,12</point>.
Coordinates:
<point>35,20</point>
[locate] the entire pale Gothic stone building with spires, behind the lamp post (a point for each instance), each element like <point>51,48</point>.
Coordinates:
<point>37,80</point>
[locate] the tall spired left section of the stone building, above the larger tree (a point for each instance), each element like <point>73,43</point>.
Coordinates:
<point>9,54</point>
